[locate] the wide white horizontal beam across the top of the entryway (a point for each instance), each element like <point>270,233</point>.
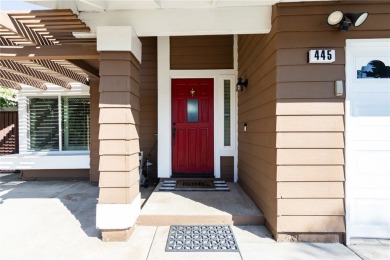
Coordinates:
<point>195,21</point>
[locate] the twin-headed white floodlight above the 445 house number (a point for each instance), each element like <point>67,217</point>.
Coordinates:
<point>337,18</point>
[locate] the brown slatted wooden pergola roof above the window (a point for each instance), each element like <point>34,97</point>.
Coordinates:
<point>39,47</point>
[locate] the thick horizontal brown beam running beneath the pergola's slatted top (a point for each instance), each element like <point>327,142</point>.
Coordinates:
<point>50,52</point>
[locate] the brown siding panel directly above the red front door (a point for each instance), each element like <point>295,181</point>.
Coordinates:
<point>201,52</point>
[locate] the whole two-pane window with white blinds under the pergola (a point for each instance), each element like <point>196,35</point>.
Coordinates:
<point>45,120</point>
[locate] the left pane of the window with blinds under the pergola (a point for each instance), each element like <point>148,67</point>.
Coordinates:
<point>44,124</point>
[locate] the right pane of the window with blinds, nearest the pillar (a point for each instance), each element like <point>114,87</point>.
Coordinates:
<point>75,123</point>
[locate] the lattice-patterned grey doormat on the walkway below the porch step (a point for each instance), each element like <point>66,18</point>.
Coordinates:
<point>215,238</point>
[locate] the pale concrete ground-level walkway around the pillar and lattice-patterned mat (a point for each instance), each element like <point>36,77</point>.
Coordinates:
<point>56,220</point>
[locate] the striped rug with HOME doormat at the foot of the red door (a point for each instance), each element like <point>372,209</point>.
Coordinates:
<point>194,185</point>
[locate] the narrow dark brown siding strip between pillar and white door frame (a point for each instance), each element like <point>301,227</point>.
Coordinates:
<point>148,101</point>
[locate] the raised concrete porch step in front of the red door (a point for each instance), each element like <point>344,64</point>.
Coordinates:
<point>165,208</point>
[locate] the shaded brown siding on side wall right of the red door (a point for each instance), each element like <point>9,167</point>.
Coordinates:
<point>256,108</point>
